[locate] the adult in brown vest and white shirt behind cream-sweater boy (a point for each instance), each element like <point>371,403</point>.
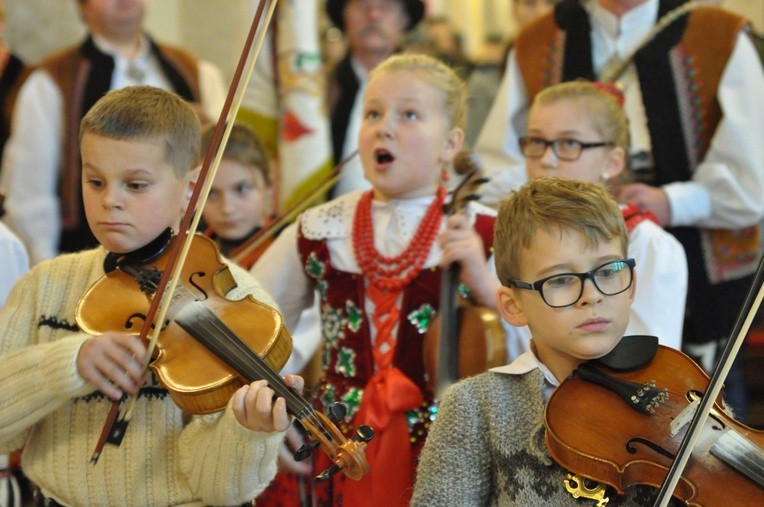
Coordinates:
<point>41,166</point>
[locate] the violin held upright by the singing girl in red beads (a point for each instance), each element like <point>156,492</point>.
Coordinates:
<point>464,339</point>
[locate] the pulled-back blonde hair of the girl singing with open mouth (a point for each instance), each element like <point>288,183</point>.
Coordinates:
<point>437,74</point>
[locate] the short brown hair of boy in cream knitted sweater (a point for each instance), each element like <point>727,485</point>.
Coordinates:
<point>145,113</point>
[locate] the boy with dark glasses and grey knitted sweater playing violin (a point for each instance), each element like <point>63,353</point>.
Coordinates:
<point>560,248</point>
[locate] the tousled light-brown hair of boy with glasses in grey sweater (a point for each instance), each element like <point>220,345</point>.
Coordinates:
<point>554,205</point>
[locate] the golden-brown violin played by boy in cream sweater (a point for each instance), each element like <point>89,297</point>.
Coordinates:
<point>210,346</point>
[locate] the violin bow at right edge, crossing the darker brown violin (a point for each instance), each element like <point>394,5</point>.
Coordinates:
<point>739,331</point>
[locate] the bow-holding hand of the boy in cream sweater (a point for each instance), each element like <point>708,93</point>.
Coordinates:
<point>113,363</point>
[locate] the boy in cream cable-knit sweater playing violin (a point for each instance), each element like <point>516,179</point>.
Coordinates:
<point>138,145</point>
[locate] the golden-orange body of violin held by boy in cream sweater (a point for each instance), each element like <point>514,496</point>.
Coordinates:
<point>198,380</point>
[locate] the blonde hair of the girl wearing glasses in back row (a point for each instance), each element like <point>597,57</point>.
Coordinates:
<point>602,108</point>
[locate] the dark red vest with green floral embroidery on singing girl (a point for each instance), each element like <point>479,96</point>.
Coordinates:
<point>347,359</point>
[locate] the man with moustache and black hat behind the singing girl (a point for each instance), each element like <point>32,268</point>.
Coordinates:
<point>374,30</point>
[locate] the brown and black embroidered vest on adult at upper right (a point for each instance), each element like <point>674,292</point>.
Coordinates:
<point>679,73</point>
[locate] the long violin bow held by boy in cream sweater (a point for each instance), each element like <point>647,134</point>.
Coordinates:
<point>115,427</point>
